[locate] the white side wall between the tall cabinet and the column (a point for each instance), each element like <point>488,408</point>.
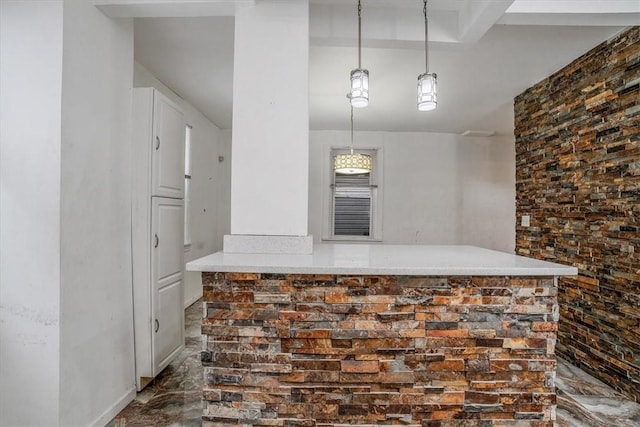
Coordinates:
<point>206,234</point>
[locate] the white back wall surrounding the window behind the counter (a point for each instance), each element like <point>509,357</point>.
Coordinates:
<point>438,188</point>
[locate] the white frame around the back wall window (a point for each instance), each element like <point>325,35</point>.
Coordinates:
<point>376,180</point>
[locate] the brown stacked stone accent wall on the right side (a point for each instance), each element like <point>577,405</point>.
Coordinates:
<point>578,177</point>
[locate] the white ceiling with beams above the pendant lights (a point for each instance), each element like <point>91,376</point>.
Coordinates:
<point>485,52</point>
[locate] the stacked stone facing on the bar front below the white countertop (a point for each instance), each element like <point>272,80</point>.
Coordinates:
<point>308,350</point>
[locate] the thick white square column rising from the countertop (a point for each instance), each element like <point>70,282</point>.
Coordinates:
<point>270,139</point>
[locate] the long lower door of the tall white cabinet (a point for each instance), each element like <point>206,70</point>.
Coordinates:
<point>167,249</point>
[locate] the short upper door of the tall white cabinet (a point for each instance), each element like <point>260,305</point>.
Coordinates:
<point>168,149</point>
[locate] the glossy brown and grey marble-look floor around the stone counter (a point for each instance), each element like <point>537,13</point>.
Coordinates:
<point>174,397</point>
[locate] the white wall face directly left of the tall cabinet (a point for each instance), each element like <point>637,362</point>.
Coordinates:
<point>96,329</point>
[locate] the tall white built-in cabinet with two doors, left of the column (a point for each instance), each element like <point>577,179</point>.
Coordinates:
<point>157,232</point>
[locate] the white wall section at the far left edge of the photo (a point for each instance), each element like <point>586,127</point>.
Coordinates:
<point>30,107</point>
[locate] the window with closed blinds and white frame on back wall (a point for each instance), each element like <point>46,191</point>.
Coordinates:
<point>354,207</point>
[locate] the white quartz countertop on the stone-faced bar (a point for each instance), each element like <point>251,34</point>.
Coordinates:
<point>368,259</point>
